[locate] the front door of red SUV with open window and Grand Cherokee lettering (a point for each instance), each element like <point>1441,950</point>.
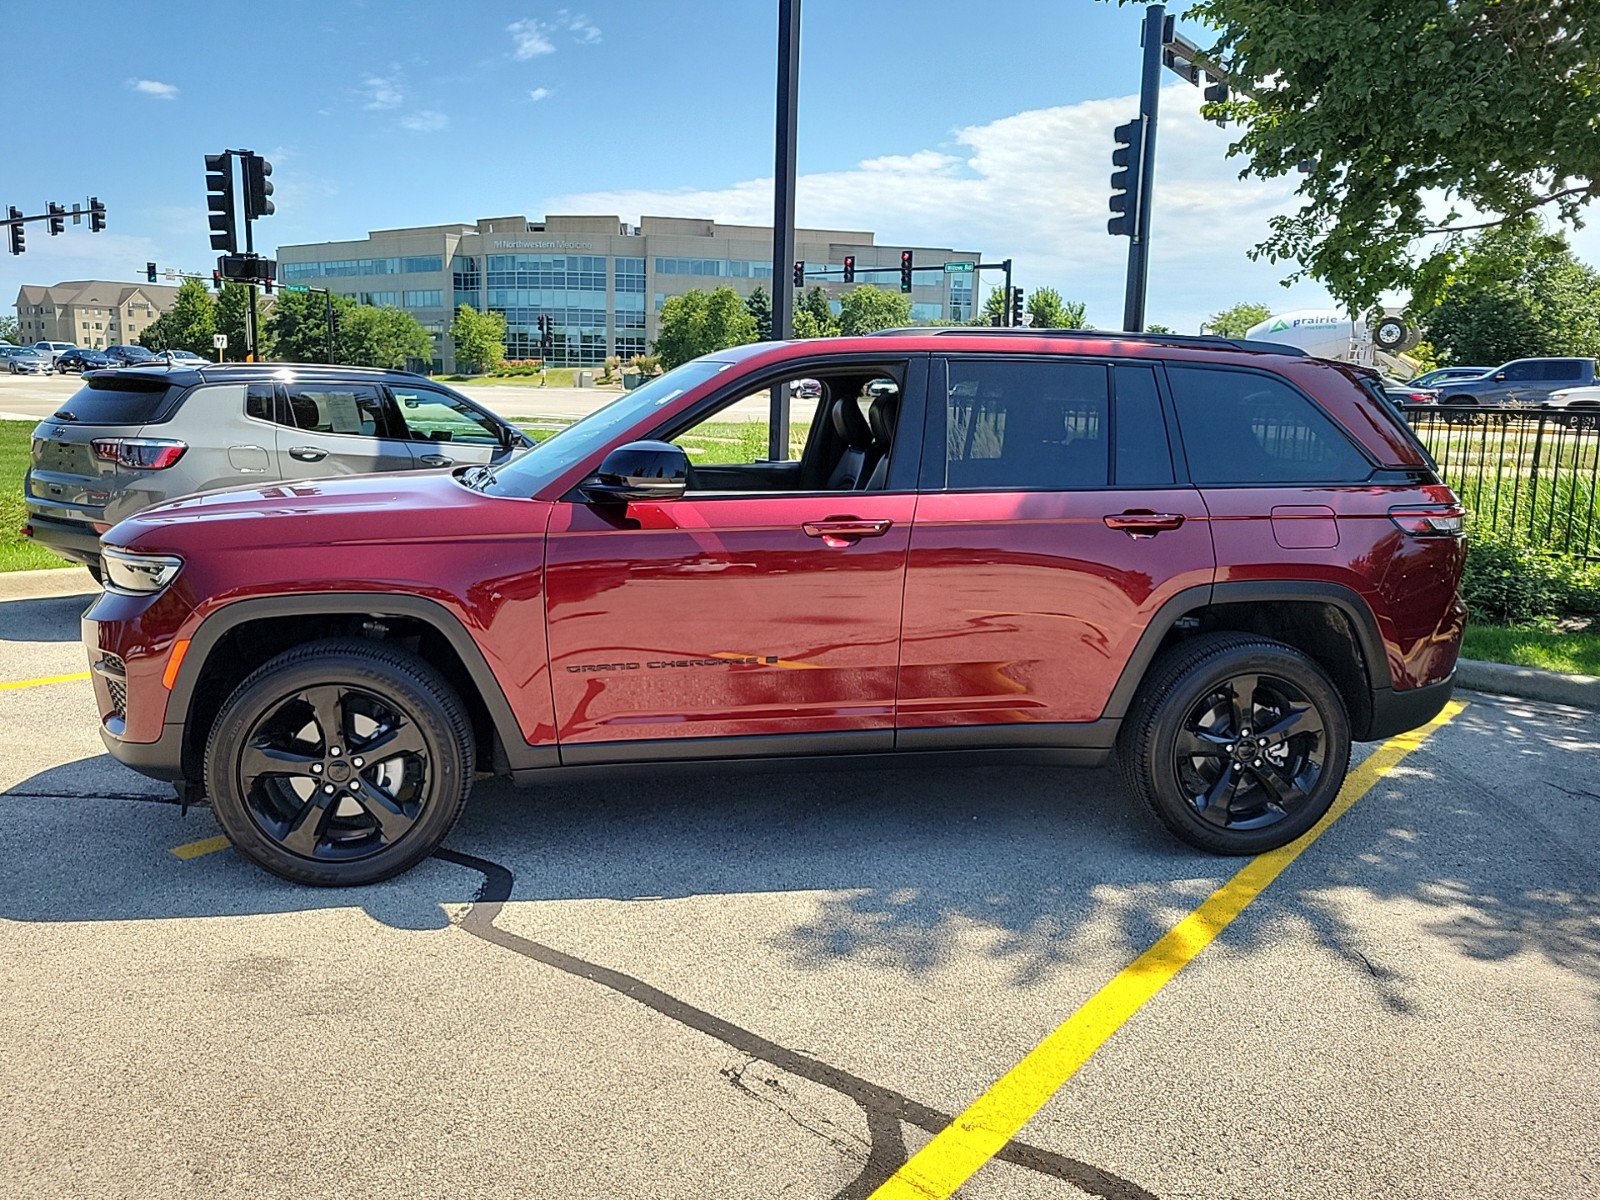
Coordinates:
<point>766,602</point>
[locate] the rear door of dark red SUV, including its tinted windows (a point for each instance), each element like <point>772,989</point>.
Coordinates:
<point>1050,530</point>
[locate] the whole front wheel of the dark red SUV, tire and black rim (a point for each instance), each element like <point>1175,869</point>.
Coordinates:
<point>340,764</point>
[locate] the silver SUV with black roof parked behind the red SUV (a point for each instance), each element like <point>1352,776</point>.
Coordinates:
<point>148,434</point>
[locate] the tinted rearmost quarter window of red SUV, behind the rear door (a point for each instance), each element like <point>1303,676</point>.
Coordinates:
<point>1247,428</point>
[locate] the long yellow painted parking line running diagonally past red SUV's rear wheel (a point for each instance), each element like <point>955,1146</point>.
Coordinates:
<point>990,1122</point>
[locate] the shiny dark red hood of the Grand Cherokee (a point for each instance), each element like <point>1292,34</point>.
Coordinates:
<point>354,510</point>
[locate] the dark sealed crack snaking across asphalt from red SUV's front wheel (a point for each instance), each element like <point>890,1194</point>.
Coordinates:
<point>884,1108</point>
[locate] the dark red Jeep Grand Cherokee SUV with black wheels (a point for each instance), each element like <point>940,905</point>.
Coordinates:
<point>1223,561</point>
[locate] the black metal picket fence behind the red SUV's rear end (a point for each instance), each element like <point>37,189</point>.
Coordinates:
<point>1532,474</point>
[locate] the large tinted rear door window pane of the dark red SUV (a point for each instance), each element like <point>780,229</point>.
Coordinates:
<point>1017,426</point>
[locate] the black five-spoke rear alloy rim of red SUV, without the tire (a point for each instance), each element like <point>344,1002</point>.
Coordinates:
<point>1250,753</point>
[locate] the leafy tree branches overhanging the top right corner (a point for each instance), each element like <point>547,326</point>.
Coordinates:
<point>1490,105</point>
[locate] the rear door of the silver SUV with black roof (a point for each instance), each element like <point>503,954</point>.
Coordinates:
<point>340,430</point>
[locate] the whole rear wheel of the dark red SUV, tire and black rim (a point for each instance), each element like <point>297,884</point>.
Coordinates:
<point>1236,743</point>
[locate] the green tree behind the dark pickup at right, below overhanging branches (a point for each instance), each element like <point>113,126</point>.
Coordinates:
<point>1518,294</point>
